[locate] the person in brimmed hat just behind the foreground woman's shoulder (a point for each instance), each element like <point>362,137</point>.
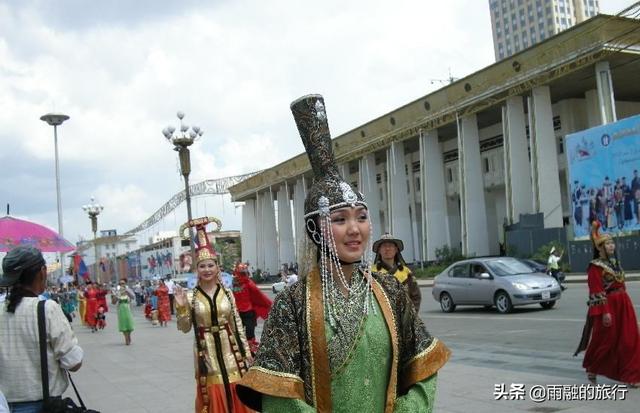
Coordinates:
<point>388,260</point>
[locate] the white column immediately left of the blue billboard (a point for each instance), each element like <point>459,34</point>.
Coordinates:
<point>544,158</point>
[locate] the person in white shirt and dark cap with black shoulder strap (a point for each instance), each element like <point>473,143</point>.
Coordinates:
<point>25,272</point>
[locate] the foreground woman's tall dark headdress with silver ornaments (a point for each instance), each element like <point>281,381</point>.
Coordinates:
<point>329,190</point>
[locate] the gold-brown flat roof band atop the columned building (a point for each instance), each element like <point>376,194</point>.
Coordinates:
<point>571,52</point>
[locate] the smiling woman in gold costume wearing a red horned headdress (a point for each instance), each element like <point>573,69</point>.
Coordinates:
<point>221,352</point>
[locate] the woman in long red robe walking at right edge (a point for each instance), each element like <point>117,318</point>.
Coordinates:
<point>611,337</point>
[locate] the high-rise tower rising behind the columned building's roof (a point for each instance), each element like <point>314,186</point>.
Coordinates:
<point>518,24</point>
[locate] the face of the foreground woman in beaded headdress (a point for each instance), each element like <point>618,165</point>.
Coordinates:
<point>350,227</point>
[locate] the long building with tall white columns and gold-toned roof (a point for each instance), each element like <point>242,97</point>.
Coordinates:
<point>455,166</point>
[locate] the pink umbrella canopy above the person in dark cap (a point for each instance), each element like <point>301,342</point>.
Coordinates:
<point>15,232</point>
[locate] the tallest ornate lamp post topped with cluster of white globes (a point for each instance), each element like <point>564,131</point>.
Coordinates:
<point>181,140</point>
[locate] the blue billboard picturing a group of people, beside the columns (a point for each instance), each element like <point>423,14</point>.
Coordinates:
<point>603,175</point>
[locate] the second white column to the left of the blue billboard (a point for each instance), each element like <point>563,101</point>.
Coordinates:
<point>516,160</point>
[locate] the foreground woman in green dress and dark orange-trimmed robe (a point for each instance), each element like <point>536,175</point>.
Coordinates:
<point>342,339</point>
